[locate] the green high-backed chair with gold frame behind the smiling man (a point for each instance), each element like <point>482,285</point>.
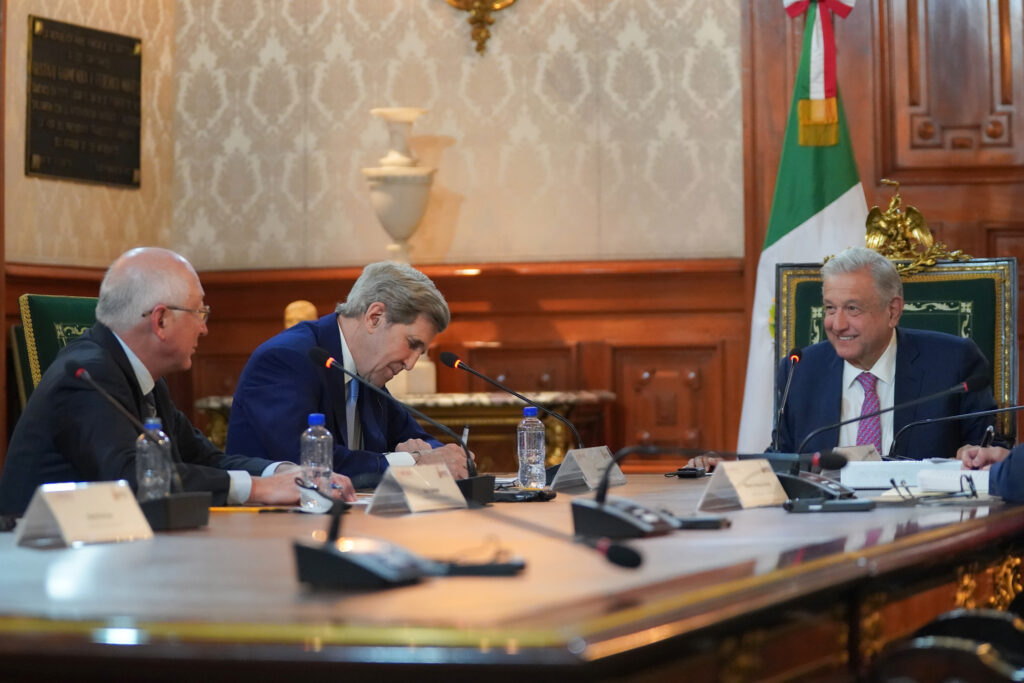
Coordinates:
<point>975,298</point>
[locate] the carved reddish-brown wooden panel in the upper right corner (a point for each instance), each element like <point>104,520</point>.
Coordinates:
<point>951,88</point>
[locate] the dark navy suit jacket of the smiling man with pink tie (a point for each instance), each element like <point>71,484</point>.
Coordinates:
<point>926,363</point>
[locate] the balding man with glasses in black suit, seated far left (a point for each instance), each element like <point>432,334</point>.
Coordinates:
<point>150,318</point>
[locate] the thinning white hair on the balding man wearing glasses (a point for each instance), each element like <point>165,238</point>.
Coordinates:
<point>139,281</point>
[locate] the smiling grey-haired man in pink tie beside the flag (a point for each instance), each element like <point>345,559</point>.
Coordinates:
<point>870,364</point>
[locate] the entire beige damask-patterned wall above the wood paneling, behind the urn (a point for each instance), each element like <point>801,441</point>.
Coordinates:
<point>592,130</point>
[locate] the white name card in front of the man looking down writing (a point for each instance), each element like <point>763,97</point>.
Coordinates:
<point>416,489</point>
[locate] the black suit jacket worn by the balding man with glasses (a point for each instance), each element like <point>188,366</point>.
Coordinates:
<point>70,434</point>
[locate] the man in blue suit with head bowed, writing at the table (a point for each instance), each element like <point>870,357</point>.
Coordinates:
<point>391,318</point>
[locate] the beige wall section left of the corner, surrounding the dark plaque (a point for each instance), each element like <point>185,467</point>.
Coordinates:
<point>78,224</point>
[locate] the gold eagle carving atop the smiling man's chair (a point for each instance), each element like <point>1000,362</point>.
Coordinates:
<point>904,235</point>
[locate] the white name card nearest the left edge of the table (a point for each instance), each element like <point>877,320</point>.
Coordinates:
<point>73,515</point>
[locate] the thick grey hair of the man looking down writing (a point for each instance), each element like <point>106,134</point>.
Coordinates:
<point>406,293</point>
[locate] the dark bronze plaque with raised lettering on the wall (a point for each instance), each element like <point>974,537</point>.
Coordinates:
<point>84,100</point>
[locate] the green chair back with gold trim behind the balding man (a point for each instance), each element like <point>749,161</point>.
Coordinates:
<point>52,322</point>
